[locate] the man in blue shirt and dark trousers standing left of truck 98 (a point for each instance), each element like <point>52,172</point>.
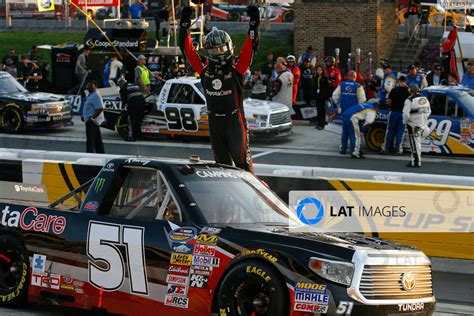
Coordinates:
<point>93,117</point>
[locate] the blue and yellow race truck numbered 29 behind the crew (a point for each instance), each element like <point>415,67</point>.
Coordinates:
<point>451,123</point>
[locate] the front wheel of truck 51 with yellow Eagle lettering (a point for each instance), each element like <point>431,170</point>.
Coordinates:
<point>253,288</point>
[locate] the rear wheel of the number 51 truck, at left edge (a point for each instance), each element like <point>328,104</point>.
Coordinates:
<point>14,266</point>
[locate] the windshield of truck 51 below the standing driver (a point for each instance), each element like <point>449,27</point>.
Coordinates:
<point>227,196</point>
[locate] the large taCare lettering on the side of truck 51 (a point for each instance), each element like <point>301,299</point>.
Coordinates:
<point>31,219</point>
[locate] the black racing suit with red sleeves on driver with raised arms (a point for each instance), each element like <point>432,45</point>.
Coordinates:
<point>224,90</point>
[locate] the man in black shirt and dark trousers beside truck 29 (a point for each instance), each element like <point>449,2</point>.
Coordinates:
<point>396,128</point>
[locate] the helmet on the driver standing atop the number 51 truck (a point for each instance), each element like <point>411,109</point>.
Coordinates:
<point>219,47</point>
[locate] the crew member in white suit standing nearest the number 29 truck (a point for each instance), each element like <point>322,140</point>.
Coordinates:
<point>415,115</point>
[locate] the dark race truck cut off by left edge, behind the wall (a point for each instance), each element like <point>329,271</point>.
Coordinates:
<point>22,110</point>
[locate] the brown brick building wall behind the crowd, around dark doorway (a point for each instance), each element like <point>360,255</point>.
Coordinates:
<point>371,26</point>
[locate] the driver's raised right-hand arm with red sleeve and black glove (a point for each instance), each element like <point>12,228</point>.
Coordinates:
<point>251,42</point>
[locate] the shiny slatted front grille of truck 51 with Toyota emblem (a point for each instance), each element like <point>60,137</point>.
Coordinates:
<point>385,282</point>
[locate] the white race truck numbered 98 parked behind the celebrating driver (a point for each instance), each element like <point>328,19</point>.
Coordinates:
<point>180,109</point>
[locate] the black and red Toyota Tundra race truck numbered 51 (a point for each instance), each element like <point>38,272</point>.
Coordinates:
<point>187,237</point>
